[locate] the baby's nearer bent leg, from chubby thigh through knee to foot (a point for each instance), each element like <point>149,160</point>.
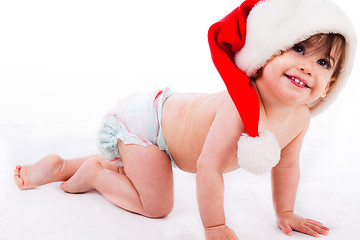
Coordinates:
<point>145,187</point>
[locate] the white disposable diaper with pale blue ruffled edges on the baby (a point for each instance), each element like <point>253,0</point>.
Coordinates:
<point>136,119</point>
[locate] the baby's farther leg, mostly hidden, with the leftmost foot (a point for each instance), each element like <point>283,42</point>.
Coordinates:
<point>51,168</point>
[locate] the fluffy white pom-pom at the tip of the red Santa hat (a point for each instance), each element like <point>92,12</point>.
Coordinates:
<point>258,154</point>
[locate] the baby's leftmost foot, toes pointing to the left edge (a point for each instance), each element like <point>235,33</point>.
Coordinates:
<point>45,171</point>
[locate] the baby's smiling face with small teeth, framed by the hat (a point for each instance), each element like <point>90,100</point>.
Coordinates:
<point>297,77</point>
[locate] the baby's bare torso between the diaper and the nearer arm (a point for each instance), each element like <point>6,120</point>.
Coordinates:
<point>186,121</point>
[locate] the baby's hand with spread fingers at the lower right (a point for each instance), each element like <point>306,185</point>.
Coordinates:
<point>288,221</point>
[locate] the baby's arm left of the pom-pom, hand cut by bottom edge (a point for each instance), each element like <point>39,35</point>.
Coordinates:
<point>218,152</point>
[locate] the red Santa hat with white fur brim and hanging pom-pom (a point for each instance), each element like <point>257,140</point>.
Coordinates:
<point>242,43</point>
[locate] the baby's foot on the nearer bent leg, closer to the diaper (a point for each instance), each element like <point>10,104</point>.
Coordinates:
<point>82,180</point>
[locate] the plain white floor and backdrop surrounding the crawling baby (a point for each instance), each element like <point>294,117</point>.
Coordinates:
<point>63,65</point>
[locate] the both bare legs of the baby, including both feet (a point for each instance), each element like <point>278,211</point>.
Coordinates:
<point>133,189</point>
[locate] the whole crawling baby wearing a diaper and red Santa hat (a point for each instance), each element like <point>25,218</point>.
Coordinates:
<point>295,58</point>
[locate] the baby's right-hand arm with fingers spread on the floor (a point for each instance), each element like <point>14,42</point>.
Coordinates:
<point>285,178</point>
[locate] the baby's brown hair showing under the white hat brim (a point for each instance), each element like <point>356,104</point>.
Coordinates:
<point>326,44</point>
